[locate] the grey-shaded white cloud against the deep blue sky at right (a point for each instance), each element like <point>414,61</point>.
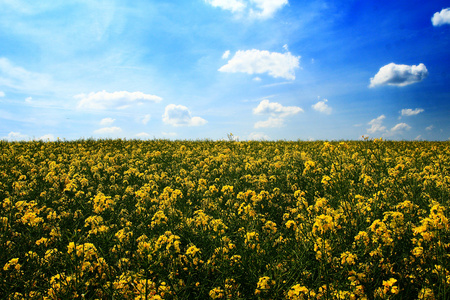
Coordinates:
<point>399,75</point>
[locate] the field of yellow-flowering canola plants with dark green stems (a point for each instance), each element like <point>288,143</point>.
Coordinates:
<point>129,219</point>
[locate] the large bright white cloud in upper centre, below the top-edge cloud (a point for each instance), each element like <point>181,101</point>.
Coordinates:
<point>262,61</point>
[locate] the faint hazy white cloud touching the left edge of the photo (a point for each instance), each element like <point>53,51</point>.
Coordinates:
<point>18,78</point>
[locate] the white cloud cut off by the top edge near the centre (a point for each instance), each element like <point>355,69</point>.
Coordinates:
<point>261,9</point>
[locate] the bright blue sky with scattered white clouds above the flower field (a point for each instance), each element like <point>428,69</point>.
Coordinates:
<point>201,69</point>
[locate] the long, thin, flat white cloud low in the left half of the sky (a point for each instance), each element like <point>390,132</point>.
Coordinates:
<point>121,99</point>
